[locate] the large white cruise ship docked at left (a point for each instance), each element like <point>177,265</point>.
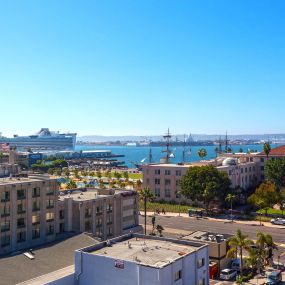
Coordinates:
<point>43,140</point>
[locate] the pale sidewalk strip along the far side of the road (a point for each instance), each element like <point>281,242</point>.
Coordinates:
<point>251,223</point>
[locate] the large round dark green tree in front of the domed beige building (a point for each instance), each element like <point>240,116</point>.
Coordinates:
<point>205,184</point>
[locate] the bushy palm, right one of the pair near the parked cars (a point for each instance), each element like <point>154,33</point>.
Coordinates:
<point>266,246</point>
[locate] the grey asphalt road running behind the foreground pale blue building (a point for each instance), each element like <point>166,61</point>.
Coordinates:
<point>192,224</point>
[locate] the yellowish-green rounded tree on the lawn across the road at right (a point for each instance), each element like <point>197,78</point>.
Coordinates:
<point>265,196</point>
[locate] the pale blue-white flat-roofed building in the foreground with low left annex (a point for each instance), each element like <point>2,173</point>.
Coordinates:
<point>135,259</point>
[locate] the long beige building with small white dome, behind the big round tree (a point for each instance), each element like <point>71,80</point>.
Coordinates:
<point>164,179</point>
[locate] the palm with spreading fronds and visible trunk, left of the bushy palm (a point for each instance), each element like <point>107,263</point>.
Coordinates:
<point>238,244</point>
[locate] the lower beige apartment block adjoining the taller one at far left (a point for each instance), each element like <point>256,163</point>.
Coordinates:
<point>105,213</point>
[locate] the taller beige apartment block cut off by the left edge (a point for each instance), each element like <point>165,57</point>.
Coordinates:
<point>27,209</point>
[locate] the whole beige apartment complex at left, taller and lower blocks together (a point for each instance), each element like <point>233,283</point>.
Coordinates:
<point>34,212</point>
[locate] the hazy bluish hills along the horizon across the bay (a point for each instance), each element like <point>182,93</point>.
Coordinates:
<point>257,137</point>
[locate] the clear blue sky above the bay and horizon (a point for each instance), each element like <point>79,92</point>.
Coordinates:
<point>122,67</point>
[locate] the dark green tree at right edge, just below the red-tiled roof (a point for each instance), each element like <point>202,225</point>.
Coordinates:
<point>275,171</point>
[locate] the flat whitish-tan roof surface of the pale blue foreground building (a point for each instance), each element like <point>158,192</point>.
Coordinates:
<point>147,252</point>
